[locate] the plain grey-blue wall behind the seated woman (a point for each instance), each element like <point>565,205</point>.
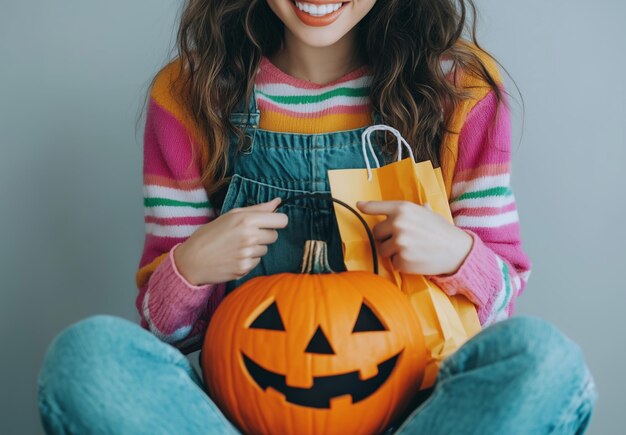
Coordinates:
<point>72,79</point>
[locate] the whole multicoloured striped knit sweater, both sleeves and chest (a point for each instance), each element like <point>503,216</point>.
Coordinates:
<point>492,276</point>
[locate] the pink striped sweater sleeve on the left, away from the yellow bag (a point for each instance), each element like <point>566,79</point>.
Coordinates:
<point>175,205</point>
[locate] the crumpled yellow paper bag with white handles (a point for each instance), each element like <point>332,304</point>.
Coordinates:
<point>446,321</point>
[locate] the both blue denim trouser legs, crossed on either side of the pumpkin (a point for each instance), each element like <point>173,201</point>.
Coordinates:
<point>106,375</point>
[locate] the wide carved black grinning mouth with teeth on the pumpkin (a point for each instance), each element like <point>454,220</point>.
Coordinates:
<point>324,387</point>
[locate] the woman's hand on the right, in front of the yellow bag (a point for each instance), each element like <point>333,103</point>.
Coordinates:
<point>416,239</point>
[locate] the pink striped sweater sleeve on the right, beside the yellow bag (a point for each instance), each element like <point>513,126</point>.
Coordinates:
<point>497,269</point>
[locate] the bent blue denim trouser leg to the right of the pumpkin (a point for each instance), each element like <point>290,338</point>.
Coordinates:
<point>519,376</point>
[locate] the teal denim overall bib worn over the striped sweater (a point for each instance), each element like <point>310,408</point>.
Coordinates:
<point>275,164</point>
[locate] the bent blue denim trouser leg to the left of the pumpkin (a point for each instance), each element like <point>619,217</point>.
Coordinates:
<point>106,375</point>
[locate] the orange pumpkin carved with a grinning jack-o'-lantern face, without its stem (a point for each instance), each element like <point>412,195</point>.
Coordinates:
<point>334,353</point>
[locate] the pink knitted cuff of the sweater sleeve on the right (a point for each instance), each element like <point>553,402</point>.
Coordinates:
<point>477,278</point>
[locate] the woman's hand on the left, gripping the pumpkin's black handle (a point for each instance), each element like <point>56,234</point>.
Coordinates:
<point>231,245</point>
